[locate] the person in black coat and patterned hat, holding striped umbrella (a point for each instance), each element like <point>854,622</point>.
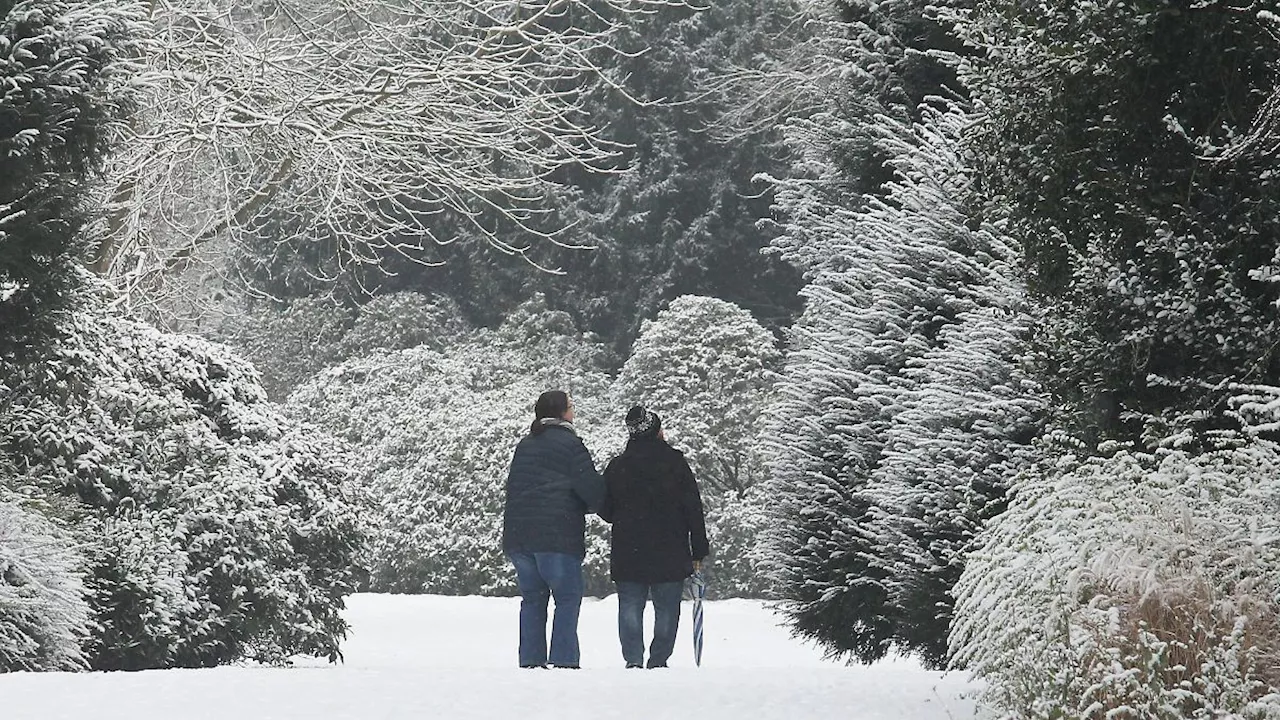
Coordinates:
<point>660,536</point>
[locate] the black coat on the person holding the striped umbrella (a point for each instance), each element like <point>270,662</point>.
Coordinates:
<point>657,514</point>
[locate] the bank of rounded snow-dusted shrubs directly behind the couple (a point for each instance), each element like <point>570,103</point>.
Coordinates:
<point>438,423</point>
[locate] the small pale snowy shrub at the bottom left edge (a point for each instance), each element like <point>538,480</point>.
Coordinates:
<point>44,616</point>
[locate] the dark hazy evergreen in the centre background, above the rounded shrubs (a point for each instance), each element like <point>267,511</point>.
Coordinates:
<point>685,217</point>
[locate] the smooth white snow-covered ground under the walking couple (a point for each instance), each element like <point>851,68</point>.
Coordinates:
<point>428,658</point>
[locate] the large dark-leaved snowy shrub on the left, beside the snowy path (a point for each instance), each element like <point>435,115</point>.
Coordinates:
<point>214,528</point>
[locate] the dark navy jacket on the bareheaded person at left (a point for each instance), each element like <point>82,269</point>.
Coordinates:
<point>551,487</point>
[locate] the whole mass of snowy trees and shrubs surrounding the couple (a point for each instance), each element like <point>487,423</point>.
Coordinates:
<point>963,312</point>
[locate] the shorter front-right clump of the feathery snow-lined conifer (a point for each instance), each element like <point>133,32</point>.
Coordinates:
<point>964,434</point>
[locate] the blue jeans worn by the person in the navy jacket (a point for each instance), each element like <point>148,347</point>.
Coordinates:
<point>542,576</point>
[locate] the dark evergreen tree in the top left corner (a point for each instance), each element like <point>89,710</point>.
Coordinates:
<point>65,65</point>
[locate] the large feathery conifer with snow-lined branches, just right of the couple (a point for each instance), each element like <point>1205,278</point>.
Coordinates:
<point>902,408</point>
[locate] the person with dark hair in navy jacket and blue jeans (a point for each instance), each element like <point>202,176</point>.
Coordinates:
<point>551,487</point>
